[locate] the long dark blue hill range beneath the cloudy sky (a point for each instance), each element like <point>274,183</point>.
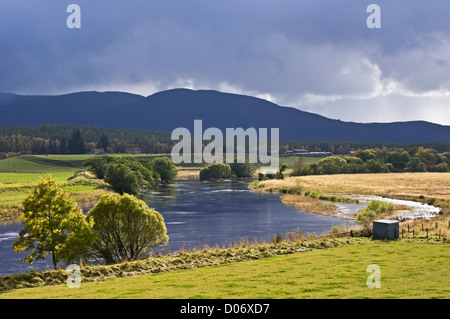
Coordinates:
<point>167,110</point>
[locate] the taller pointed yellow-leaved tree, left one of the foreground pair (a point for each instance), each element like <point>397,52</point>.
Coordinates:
<point>53,224</point>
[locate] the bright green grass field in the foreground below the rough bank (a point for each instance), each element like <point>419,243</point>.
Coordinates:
<point>408,270</point>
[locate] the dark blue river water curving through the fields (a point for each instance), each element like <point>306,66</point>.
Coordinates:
<point>198,213</point>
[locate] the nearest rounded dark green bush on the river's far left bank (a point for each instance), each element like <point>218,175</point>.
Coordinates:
<point>123,180</point>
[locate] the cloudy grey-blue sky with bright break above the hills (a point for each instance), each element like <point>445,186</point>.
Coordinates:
<point>316,55</point>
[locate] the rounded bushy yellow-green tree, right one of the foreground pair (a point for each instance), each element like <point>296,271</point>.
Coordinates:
<point>125,228</point>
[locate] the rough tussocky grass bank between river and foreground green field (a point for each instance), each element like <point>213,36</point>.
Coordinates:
<point>183,260</point>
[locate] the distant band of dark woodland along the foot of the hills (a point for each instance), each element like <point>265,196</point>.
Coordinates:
<point>69,139</point>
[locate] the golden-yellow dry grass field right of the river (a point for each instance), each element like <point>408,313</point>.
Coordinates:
<point>410,186</point>
